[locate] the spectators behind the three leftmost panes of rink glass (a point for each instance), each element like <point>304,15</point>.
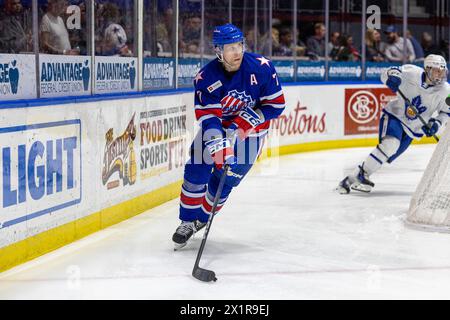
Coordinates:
<point>112,35</point>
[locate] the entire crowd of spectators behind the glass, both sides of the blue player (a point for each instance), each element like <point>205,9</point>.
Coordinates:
<point>115,30</point>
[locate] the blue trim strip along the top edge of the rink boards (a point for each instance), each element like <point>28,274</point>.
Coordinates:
<point>29,103</point>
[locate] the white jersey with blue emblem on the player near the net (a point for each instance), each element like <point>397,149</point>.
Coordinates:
<point>429,100</point>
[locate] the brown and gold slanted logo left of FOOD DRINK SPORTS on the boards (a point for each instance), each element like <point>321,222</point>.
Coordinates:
<point>120,157</point>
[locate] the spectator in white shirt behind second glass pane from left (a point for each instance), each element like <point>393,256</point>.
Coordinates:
<point>54,35</point>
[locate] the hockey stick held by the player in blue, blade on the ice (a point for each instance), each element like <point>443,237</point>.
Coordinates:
<point>200,273</point>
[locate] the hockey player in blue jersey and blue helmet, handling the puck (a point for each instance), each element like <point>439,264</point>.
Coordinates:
<point>236,96</point>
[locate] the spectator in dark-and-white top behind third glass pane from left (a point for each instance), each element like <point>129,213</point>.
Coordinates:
<point>114,36</point>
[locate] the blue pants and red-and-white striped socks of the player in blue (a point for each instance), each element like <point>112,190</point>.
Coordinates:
<point>201,176</point>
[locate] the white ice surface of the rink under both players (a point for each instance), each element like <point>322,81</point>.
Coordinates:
<point>280,236</point>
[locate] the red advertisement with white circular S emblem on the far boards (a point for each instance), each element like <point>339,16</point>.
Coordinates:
<point>363,109</point>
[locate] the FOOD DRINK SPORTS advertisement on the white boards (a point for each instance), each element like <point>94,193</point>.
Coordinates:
<point>162,140</point>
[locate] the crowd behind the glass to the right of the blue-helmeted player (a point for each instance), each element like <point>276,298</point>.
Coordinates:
<point>341,47</point>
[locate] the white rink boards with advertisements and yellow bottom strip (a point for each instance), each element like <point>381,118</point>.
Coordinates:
<point>72,169</point>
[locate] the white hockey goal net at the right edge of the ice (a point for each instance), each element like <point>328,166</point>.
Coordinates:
<point>430,204</point>
